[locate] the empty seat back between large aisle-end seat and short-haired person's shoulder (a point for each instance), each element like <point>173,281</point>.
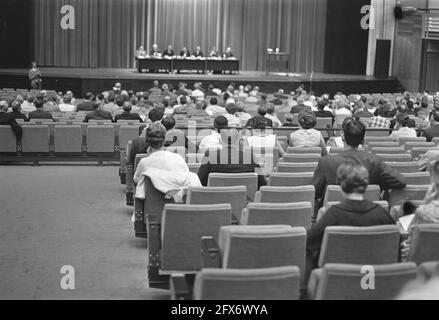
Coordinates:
<point>295,214</point>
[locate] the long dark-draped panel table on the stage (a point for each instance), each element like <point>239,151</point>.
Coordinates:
<point>175,64</point>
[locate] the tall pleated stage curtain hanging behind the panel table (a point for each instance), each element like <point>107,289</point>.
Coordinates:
<point>109,31</point>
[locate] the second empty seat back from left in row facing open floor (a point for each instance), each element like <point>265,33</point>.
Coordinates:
<point>35,138</point>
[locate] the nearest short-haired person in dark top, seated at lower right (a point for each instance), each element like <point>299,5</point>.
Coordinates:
<point>353,211</point>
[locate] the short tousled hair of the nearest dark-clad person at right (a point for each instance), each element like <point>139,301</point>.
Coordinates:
<point>352,178</point>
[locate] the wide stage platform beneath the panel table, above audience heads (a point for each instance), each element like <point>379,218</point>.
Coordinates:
<point>81,80</point>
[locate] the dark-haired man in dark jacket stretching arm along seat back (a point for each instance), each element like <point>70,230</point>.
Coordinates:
<point>353,132</point>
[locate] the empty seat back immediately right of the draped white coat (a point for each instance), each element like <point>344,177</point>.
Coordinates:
<point>236,196</point>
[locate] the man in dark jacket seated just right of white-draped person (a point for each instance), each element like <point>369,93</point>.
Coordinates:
<point>230,158</point>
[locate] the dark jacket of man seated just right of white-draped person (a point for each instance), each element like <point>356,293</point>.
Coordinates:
<point>229,160</point>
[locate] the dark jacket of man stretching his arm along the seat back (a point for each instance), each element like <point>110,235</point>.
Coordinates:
<point>379,173</point>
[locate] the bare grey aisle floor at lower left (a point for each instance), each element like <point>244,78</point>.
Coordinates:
<point>51,216</point>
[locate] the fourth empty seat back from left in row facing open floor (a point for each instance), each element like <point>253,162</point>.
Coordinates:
<point>100,138</point>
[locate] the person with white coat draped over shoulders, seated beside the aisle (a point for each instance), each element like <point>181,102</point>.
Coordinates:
<point>167,170</point>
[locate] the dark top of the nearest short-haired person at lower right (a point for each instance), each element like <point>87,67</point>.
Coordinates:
<point>354,213</point>
